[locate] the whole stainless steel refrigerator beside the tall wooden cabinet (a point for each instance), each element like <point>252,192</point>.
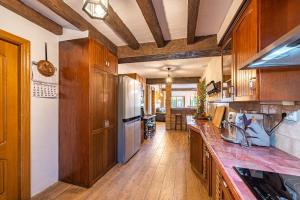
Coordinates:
<point>129,118</point>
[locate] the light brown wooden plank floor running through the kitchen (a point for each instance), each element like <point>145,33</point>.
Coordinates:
<point>160,170</point>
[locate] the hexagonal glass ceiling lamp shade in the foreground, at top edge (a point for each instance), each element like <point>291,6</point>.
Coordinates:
<point>96,9</point>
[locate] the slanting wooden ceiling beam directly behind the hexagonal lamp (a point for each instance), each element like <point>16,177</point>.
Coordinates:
<point>118,26</point>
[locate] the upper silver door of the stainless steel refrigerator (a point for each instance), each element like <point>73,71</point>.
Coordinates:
<point>128,104</point>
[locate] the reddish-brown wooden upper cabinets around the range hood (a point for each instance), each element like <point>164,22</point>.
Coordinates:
<point>261,23</point>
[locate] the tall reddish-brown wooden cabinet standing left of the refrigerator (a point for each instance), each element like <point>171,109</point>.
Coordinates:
<point>87,114</point>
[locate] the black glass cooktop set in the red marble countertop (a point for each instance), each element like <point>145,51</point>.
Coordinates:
<point>269,185</point>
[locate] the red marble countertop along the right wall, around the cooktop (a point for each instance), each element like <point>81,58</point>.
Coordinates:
<point>228,155</point>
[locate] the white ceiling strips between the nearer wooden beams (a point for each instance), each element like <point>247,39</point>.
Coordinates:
<point>172,15</point>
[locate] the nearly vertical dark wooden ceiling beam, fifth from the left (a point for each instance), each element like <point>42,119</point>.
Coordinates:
<point>193,9</point>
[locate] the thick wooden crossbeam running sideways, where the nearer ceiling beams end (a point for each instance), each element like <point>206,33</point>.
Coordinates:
<point>205,46</point>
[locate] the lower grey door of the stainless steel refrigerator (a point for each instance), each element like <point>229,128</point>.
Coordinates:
<point>129,140</point>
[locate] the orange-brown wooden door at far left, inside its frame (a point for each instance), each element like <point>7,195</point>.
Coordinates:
<point>9,116</point>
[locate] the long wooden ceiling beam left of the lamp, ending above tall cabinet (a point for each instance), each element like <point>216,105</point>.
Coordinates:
<point>66,12</point>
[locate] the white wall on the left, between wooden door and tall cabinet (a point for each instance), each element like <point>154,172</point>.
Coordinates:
<point>44,112</point>
